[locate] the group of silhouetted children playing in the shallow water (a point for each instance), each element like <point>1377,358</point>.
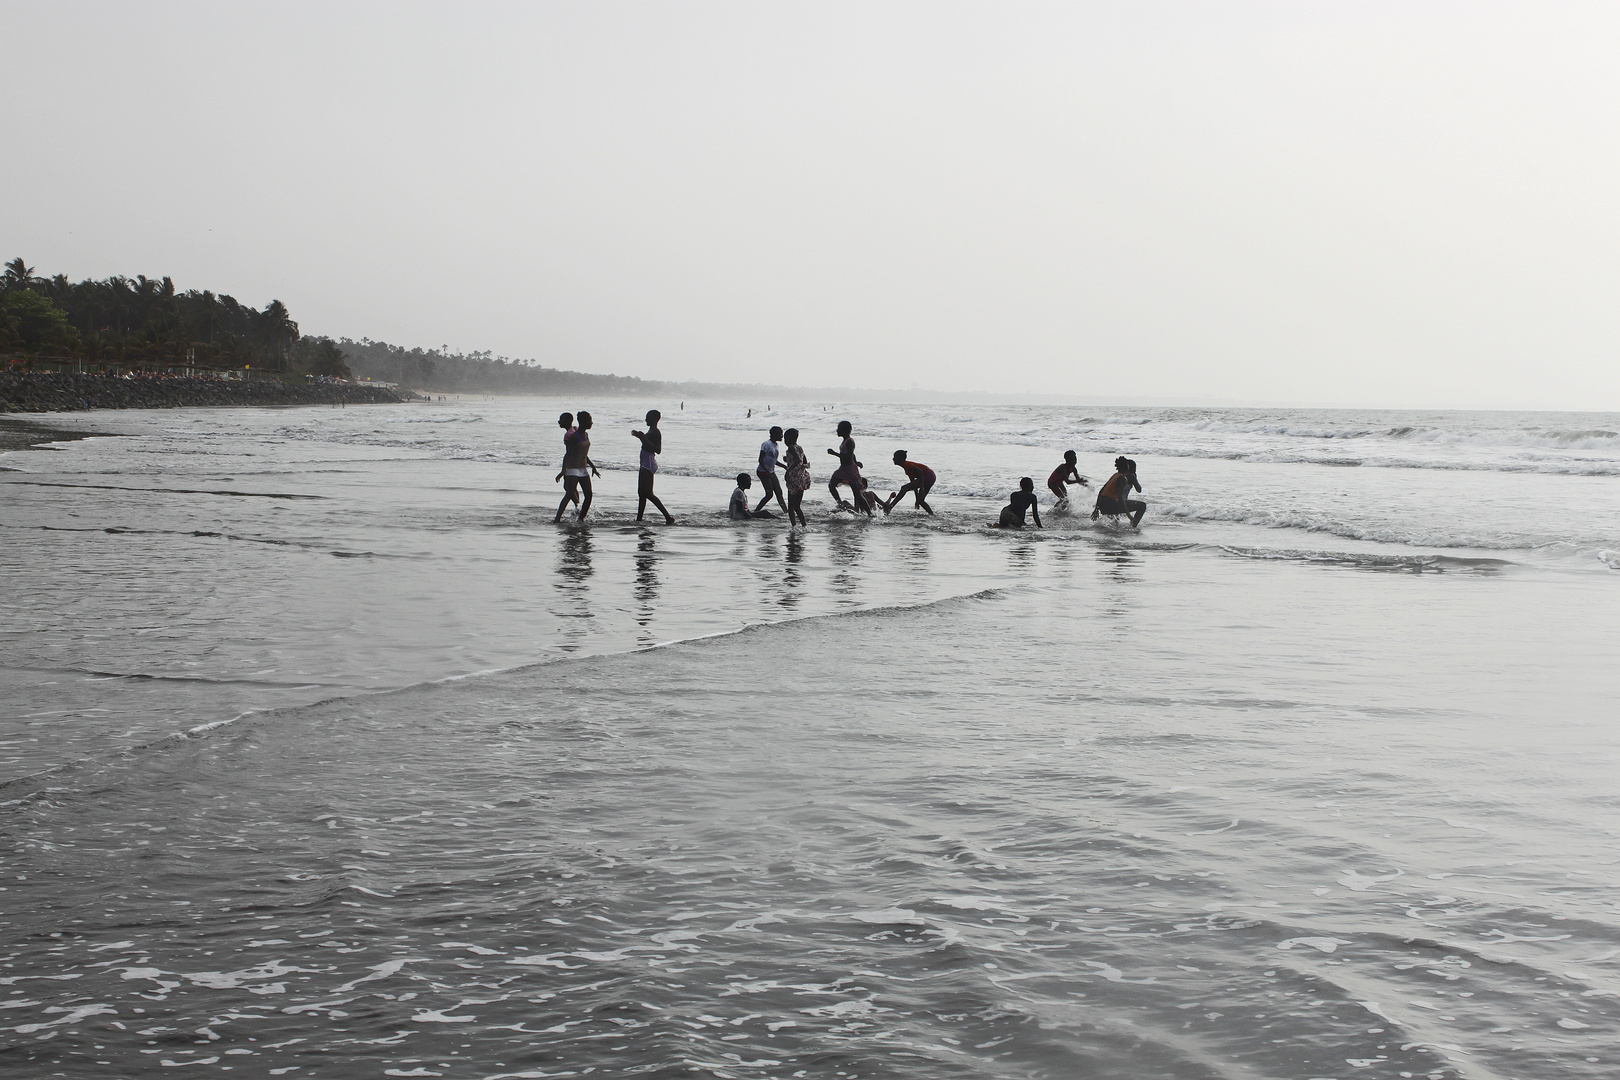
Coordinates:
<point>578,470</point>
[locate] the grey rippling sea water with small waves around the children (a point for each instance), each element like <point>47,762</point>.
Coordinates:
<point>330,755</point>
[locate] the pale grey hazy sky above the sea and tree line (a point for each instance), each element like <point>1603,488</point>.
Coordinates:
<point>1318,203</point>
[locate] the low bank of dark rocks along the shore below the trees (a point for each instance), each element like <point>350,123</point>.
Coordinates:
<point>33,393</point>
